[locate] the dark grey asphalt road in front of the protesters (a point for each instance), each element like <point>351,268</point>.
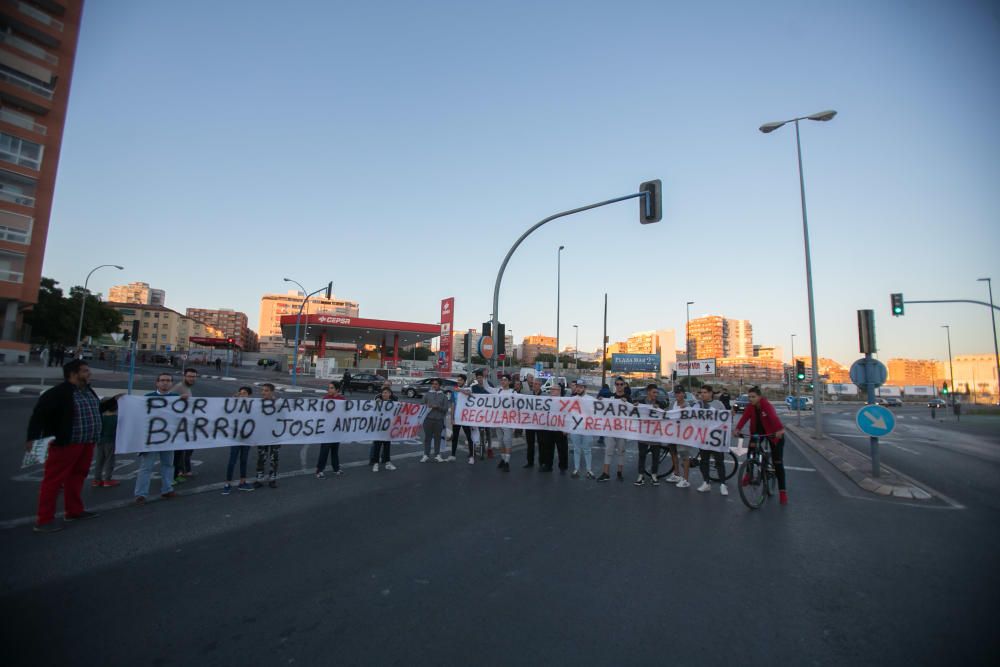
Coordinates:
<point>456,564</point>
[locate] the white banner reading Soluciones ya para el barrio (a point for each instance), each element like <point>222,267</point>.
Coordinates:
<point>703,428</point>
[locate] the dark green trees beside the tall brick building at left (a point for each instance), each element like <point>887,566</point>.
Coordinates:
<point>54,318</point>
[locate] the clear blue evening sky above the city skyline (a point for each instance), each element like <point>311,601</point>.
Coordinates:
<point>399,148</point>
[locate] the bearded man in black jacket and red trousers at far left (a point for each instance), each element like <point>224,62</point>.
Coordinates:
<point>71,414</point>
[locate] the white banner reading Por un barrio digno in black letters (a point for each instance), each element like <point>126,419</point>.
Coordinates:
<point>164,423</point>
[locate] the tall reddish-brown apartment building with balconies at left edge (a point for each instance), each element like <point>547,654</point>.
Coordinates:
<point>37,49</point>
